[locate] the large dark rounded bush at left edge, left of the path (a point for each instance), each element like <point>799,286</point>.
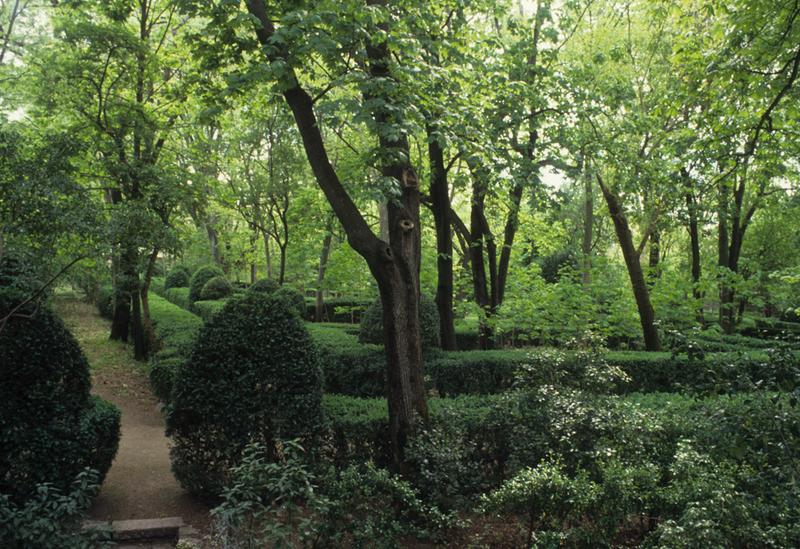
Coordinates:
<point>50,428</point>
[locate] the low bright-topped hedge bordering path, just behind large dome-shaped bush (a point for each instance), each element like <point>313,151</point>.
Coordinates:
<point>176,330</point>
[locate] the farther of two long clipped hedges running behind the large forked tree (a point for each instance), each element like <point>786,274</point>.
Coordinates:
<point>359,370</point>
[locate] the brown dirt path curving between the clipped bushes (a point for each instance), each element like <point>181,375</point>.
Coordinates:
<point>140,483</point>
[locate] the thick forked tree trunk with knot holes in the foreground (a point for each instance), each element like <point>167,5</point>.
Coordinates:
<point>395,265</point>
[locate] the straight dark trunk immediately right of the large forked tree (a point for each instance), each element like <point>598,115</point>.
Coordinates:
<point>440,206</point>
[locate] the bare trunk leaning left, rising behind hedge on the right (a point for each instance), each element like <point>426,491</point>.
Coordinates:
<point>635,273</point>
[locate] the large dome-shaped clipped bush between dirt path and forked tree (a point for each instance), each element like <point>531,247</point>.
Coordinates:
<point>253,375</point>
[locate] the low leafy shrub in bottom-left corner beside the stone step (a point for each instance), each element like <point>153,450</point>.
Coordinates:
<point>52,517</point>
